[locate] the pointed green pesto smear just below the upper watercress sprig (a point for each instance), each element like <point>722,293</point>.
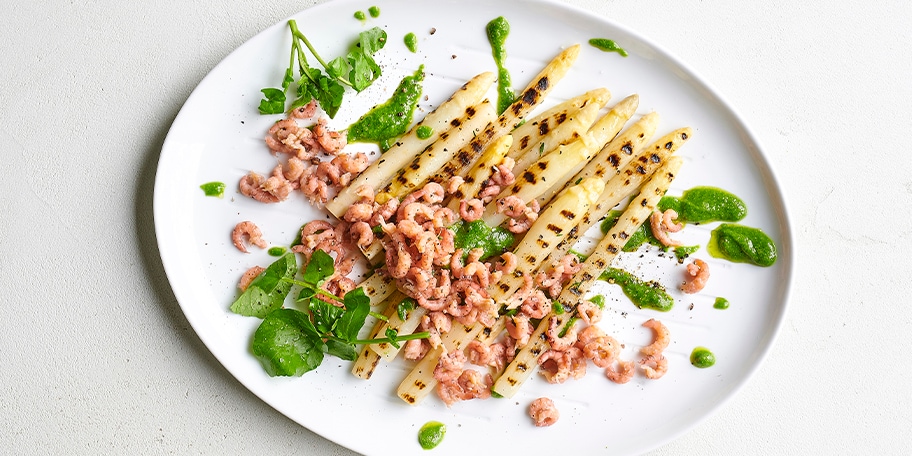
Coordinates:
<point>391,119</point>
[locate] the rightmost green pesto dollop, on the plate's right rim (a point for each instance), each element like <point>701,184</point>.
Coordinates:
<point>742,244</point>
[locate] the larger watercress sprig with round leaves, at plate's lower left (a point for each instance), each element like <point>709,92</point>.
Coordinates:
<point>290,342</point>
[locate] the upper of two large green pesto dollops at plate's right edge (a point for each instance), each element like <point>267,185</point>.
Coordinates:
<point>705,204</point>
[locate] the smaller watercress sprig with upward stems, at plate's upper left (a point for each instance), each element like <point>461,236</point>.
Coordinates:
<point>357,70</point>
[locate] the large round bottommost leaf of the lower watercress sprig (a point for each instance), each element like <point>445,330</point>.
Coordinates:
<point>287,344</point>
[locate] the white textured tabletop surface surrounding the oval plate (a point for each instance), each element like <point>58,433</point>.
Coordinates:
<point>97,358</point>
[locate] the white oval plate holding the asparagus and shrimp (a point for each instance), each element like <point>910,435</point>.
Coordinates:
<point>218,136</point>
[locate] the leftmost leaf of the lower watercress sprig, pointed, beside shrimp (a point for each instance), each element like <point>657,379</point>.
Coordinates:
<point>268,290</point>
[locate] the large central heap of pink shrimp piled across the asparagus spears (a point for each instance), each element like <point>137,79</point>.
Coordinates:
<point>450,283</point>
